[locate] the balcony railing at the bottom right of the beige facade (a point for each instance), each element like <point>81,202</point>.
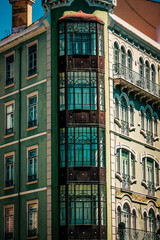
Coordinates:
<point>135,234</point>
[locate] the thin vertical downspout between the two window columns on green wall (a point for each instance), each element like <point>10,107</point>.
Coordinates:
<point>19,146</point>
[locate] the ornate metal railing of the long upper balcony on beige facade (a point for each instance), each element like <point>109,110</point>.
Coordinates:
<point>120,71</point>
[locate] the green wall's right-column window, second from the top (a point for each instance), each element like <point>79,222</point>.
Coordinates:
<point>32,111</point>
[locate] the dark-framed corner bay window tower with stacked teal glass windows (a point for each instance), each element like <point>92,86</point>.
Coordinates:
<point>82,172</point>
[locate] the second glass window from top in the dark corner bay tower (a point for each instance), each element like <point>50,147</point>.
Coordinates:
<point>82,90</point>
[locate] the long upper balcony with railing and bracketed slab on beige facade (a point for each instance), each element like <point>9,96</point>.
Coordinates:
<point>132,80</point>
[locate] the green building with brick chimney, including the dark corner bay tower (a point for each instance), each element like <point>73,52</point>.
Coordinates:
<point>54,132</point>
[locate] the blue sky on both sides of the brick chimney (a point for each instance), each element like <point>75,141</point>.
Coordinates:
<point>6,16</point>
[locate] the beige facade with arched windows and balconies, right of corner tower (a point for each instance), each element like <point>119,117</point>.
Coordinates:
<point>134,61</point>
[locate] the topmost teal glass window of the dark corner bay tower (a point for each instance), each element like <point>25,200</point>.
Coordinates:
<point>81,38</point>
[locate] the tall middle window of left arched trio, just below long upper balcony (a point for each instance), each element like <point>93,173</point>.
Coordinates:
<point>124,116</point>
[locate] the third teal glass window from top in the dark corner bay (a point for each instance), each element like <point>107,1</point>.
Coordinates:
<point>83,147</point>
